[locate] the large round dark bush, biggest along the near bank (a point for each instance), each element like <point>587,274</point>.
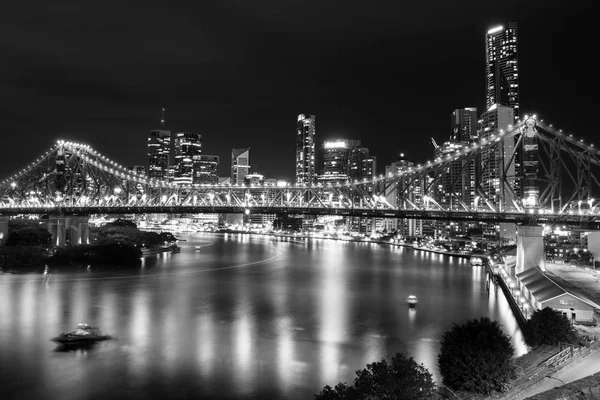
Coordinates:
<point>476,357</point>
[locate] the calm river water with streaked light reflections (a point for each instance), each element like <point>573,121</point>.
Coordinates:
<point>242,317</point>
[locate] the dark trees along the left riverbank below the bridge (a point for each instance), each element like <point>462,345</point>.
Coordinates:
<point>118,243</point>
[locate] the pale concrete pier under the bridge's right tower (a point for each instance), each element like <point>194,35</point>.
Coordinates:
<point>530,248</point>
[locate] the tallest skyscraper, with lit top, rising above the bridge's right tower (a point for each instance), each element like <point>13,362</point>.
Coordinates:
<point>501,67</point>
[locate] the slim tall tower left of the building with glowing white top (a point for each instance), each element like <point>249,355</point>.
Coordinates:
<point>306,172</point>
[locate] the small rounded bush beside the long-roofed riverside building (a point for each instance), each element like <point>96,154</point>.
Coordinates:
<point>548,326</point>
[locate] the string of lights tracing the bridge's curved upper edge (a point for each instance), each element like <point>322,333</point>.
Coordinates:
<point>110,166</point>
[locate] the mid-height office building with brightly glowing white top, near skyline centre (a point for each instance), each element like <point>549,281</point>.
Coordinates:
<point>336,160</point>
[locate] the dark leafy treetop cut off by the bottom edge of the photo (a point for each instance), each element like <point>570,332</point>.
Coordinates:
<point>400,378</point>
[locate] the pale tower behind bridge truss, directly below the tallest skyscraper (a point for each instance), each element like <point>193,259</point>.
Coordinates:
<point>498,159</point>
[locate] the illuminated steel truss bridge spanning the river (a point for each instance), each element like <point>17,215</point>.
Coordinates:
<point>544,176</point>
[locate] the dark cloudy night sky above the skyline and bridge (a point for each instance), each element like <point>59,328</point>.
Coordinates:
<point>238,72</point>
